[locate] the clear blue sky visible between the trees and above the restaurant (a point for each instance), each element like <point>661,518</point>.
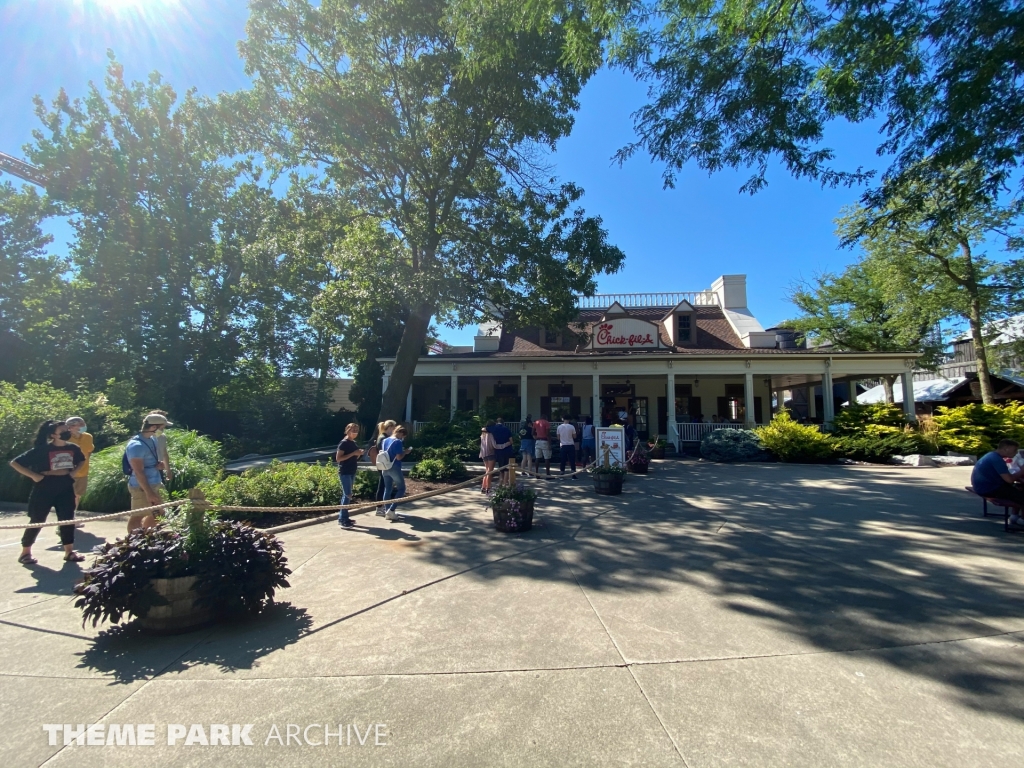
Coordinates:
<point>678,239</point>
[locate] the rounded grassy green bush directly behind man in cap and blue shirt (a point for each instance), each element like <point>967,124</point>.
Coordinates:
<point>195,459</point>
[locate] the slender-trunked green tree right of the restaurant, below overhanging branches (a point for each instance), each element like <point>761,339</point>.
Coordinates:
<point>941,222</point>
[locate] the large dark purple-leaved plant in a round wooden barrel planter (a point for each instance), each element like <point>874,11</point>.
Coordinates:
<point>186,573</point>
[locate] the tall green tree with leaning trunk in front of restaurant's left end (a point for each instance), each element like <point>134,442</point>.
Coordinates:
<point>431,118</point>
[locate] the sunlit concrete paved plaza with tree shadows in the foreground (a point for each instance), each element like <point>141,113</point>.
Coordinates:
<point>761,615</point>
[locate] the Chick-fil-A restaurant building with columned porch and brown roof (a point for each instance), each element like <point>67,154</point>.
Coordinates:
<point>679,364</point>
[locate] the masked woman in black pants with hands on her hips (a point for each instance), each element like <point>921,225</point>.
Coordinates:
<point>50,464</point>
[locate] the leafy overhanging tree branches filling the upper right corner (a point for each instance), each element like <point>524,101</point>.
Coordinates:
<point>736,84</point>
